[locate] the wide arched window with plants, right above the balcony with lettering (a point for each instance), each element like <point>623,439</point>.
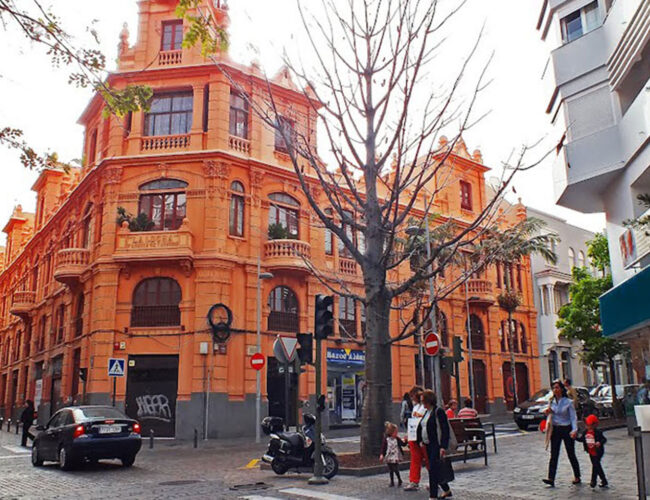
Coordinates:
<point>166,210</point>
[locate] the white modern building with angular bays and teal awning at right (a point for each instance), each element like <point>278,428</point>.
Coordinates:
<point>599,98</point>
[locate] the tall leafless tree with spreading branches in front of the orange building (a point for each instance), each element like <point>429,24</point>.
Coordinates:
<point>382,103</point>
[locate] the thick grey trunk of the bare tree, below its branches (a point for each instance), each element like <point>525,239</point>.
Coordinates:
<point>378,400</point>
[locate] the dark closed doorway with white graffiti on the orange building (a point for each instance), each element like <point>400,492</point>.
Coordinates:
<point>151,391</point>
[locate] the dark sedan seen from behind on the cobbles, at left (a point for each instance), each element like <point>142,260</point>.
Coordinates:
<point>87,433</point>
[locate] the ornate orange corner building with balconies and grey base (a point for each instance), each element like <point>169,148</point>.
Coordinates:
<point>78,287</point>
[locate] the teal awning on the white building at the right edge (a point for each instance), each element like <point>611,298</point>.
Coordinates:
<point>626,307</point>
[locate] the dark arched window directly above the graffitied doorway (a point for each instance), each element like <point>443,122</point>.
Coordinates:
<point>155,303</point>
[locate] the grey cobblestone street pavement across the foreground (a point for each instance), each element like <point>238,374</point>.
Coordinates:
<point>175,470</point>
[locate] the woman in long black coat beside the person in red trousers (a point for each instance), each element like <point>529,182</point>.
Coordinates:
<point>433,432</point>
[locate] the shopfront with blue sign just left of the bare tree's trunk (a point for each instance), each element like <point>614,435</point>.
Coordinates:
<point>345,384</point>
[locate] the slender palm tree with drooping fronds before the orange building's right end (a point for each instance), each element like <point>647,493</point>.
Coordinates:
<point>508,247</point>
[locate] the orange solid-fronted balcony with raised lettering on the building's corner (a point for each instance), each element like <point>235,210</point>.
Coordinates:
<point>152,246</point>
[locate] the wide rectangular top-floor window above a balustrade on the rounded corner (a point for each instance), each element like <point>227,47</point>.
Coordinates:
<point>169,114</point>
